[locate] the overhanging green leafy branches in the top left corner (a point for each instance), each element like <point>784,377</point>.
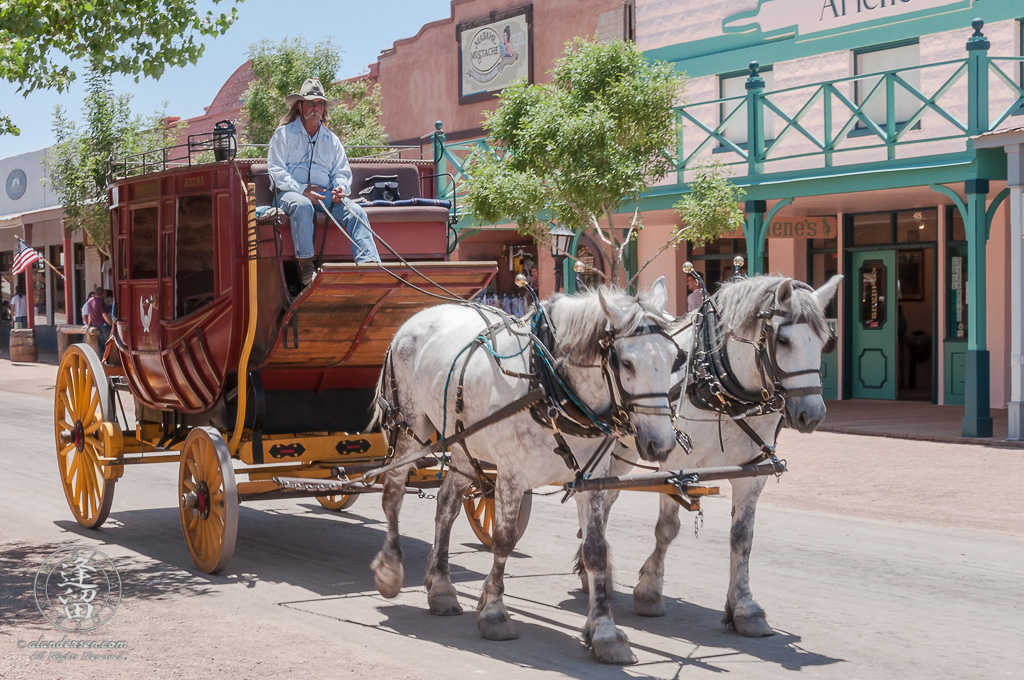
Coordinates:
<point>40,39</point>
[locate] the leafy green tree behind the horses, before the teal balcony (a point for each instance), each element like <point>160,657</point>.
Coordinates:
<point>579,150</point>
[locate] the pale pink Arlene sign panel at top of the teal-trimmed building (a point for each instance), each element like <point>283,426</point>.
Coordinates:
<point>810,17</point>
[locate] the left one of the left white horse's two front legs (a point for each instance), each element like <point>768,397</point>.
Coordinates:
<point>494,621</point>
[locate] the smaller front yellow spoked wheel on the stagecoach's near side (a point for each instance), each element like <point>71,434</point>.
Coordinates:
<point>208,500</point>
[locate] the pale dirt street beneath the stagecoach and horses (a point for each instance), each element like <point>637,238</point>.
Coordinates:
<point>855,588</point>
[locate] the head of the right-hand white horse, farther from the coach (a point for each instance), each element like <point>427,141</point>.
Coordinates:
<point>784,322</point>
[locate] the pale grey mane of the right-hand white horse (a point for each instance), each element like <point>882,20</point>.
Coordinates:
<point>740,302</point>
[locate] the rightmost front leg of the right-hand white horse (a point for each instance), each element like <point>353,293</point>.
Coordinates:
<point>741,611</point>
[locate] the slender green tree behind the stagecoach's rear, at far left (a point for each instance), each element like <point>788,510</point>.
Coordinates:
<point>77,167</point>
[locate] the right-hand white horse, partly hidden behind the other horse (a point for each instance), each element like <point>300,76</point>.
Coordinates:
<point>771,333</point>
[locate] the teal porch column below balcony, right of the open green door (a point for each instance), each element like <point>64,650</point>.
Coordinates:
<point>977,418</point>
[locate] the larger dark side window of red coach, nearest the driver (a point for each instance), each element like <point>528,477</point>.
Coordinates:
<point>194,279</point>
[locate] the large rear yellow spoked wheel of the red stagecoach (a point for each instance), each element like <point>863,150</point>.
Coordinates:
<point>81,406</point>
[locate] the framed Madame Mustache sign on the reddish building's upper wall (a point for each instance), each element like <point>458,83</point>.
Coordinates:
<point>494,53</point>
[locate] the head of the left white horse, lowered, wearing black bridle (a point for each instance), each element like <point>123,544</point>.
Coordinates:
<point>625,338</point>
